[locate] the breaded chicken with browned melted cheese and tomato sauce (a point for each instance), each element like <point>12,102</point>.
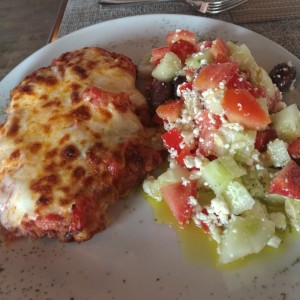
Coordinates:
<point>75,140</point>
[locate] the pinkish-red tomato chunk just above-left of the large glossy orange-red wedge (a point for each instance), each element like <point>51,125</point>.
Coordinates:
<point>210,76</point>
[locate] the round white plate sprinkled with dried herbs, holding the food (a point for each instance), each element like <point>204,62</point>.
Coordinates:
<point>135,258</point>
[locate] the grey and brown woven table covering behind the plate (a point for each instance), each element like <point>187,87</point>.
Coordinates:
<point>278,20</point>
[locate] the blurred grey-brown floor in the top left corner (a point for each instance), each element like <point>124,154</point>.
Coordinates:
<point>25,26</point>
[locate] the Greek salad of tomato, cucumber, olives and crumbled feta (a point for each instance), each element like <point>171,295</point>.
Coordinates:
<point>228,134</point>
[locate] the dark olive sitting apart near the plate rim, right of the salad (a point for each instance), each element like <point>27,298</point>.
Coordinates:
<point>283,76</point>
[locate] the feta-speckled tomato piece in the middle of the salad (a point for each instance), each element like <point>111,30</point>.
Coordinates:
<point>208,125</point>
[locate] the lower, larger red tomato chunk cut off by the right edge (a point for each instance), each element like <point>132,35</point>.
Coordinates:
<point>287,181</point>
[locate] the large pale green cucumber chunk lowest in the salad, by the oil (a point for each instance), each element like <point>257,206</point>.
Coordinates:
<point>244,236</point>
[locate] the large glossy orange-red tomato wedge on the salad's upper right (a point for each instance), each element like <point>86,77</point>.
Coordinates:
<point>241,107</point>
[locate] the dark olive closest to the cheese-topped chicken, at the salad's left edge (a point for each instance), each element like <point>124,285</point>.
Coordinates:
<point>158,93</point>
